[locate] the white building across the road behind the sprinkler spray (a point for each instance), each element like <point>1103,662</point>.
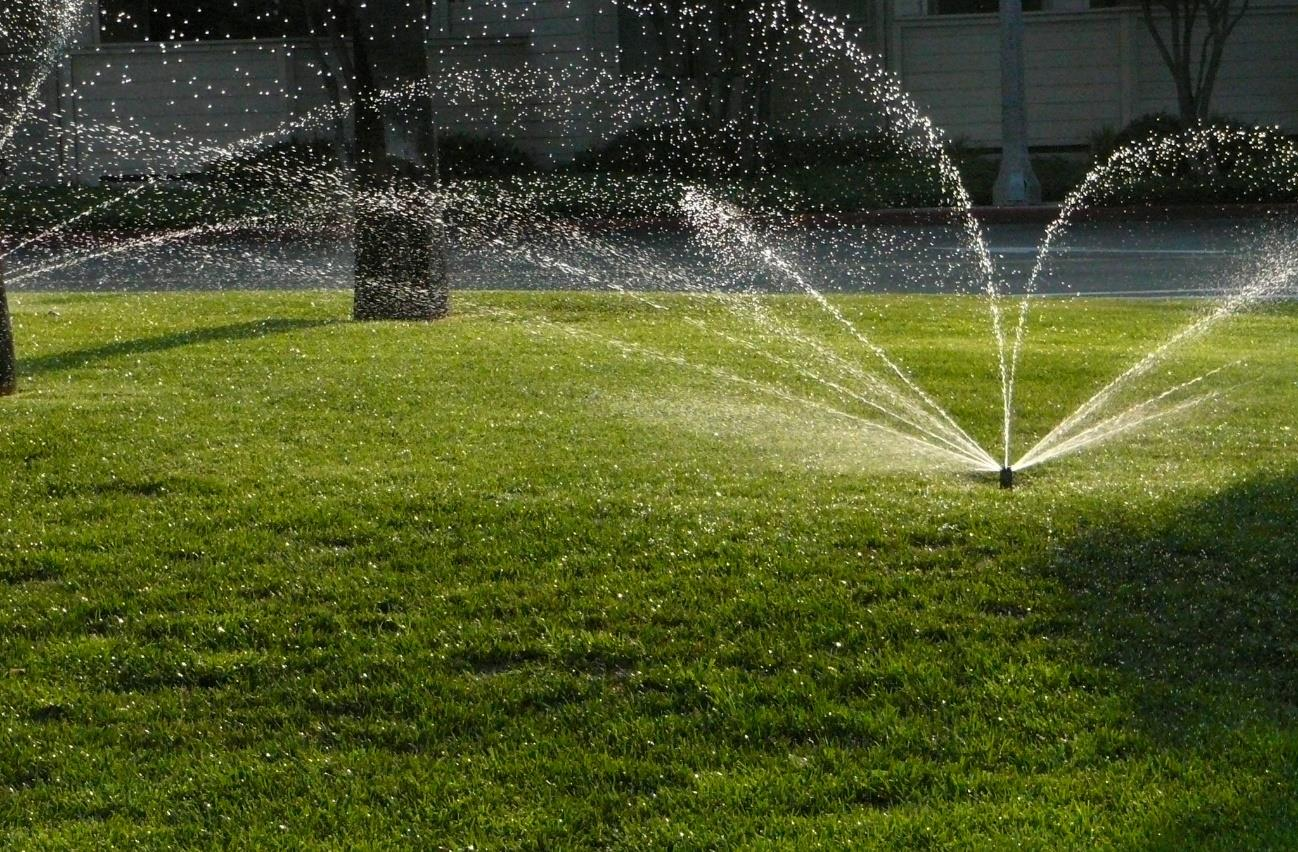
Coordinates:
<point>1088,68</point>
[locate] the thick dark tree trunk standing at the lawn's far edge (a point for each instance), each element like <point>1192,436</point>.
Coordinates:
<point>398,218</point>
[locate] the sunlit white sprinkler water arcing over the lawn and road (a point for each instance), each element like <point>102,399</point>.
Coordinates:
<point>245,206</point>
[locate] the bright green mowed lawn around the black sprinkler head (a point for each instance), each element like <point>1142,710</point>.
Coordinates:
<point>564,572</point>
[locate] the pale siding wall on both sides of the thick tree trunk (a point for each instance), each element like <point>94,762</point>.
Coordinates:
<point>219,94</point>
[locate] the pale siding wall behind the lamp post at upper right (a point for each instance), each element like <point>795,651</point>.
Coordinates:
<point>1088,71</point>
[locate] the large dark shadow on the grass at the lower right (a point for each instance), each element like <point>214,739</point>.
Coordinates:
<point>1195,612</point>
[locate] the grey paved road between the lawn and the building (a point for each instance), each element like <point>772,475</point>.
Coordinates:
<point>1129,259</point>
